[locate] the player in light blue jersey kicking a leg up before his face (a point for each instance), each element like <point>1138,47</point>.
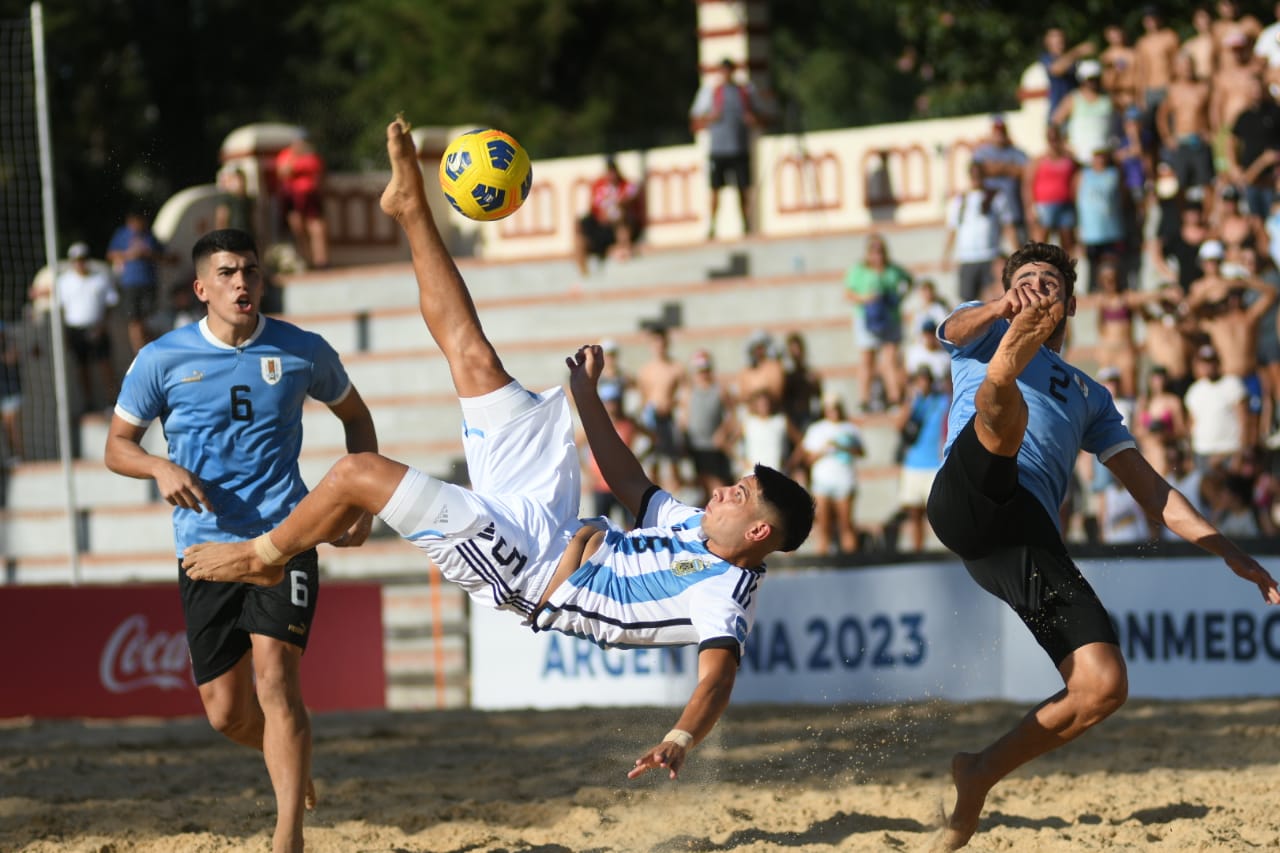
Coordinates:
<point>1020,419</point>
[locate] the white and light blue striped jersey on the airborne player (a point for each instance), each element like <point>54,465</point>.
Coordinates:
<point>657,586</point>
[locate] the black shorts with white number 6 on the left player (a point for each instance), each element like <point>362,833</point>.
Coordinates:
<point>221,617</point>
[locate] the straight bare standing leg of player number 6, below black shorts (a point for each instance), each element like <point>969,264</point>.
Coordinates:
<point>286,736</point>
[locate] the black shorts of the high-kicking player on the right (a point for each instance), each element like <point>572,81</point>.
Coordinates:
<point>1012,548</point>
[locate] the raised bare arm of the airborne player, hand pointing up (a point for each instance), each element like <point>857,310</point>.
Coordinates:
<point>623,472</point>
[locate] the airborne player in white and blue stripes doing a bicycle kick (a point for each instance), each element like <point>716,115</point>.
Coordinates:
<point>514,541</point>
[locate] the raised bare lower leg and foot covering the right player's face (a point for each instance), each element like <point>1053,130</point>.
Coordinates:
<point>1002,417</point>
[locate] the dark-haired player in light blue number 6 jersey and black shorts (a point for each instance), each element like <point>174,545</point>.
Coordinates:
<point>228,393</point>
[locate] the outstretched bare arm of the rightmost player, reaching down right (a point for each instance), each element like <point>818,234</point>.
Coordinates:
<point>1169,507</point>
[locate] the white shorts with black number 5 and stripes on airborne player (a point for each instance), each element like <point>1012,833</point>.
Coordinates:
<point>501,540</point>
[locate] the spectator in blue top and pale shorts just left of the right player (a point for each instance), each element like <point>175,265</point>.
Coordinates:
<point>922,430</point>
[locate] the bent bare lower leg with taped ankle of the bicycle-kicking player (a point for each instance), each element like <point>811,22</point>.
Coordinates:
<point>356,483</point>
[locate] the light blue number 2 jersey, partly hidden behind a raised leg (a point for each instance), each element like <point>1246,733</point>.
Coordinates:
<point>1067,412</point>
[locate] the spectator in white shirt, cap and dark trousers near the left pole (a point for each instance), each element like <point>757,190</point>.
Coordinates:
<point>86,295</point>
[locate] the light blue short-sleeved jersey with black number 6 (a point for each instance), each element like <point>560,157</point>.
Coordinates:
<point>234,418</point>
